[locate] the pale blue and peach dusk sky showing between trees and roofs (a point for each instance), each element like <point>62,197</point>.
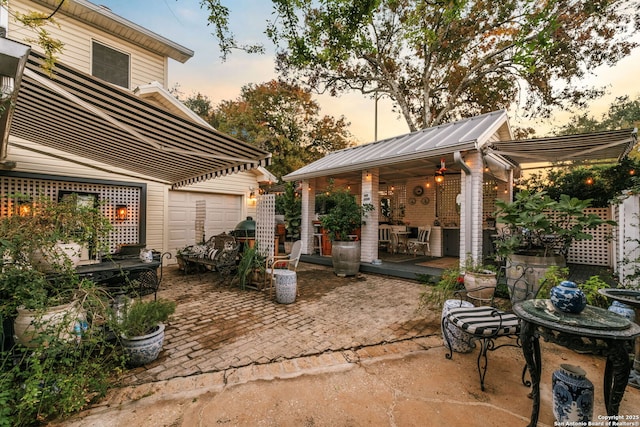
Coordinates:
<point>184,22</point>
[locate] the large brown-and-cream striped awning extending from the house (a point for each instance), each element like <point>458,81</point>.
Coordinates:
<point>81,115</point>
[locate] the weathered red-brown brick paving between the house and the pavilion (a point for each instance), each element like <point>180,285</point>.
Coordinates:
<point>217,326</point>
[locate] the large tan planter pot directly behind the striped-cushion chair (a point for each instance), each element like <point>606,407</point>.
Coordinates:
<point>524,273</point>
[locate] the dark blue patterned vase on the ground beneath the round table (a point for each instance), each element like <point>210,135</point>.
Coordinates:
<point>572,395</point>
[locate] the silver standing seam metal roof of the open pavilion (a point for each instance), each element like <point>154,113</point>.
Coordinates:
<point>432,142</point>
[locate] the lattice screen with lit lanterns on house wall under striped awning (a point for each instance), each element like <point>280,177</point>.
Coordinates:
<point>124,231</point>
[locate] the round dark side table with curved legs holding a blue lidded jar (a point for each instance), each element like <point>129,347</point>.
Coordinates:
<point>595,329</point>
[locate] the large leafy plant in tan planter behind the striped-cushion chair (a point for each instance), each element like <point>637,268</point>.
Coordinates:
<point>538,232</point>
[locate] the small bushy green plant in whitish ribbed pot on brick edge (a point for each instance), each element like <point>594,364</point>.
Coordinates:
<point>140,325</point>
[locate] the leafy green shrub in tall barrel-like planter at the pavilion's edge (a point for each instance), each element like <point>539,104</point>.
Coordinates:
<point>344,218</point>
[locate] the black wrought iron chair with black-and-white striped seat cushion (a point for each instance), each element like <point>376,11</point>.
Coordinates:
<point>487,324</point>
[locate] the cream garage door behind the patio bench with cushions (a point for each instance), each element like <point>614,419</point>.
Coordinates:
<point>221,213</point>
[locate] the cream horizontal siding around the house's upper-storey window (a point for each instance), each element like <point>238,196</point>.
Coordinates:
<point>77,38</point>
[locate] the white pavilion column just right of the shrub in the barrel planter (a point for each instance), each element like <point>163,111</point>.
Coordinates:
<point>369,231</point>
